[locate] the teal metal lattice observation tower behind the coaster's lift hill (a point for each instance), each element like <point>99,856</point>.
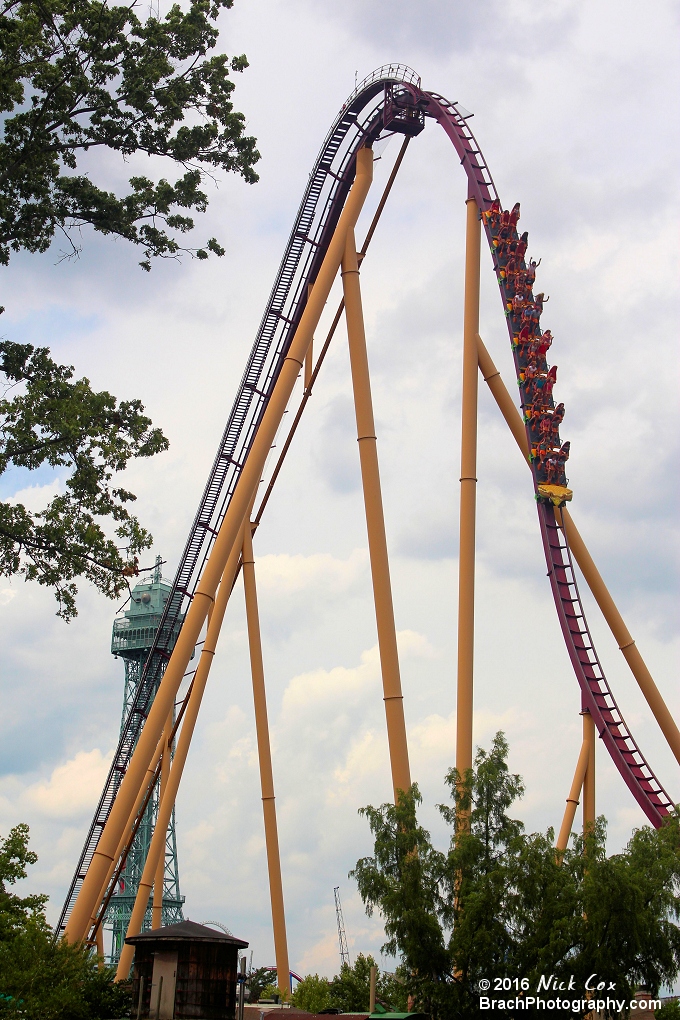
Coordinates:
<point>132,639</point>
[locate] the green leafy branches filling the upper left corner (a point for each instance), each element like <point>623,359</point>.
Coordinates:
<point>78,76</point>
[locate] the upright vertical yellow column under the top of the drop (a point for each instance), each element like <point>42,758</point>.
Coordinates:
<point>466,577</point>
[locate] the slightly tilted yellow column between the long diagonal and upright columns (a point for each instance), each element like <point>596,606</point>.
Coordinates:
<point>378,542</point>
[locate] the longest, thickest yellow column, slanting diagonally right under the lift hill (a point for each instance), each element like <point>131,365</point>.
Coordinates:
<point>230,534</point>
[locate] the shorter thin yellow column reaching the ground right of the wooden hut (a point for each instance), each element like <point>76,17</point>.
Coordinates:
<point>267,774</point>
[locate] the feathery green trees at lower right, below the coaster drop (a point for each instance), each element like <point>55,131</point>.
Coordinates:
<point>500,903</point>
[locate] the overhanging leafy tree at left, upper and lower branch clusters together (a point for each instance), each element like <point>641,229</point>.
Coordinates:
<point>78,77</point>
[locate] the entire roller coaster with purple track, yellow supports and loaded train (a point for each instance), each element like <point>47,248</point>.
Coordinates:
<point>220,546</point>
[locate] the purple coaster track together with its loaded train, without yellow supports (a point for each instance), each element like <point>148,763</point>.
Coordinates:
<point>392,101</point>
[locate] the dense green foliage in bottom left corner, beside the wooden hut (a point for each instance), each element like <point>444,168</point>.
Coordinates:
<point>41,980</point>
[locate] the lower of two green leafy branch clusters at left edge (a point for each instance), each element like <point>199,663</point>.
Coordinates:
<point>53,421</point>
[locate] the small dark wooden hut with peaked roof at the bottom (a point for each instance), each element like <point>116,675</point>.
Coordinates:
<point>186,972</point>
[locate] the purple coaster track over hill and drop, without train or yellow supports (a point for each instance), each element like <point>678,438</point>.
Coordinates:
<point>364,118</point>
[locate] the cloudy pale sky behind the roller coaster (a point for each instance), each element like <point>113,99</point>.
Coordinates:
<point>576,114</point>
